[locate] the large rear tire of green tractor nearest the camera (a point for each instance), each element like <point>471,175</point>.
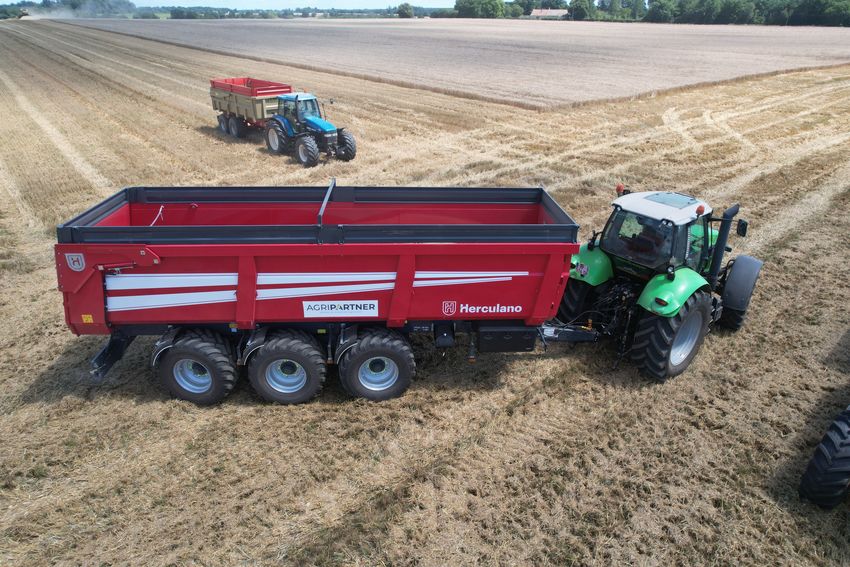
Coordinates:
<point>653,346</point>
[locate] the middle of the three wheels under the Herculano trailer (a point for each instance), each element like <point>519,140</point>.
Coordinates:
<point>288,369</point>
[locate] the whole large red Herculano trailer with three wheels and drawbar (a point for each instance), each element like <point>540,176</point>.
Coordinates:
<point>285,280</point>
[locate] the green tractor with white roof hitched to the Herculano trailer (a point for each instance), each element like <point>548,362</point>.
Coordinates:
<point>655,278</point>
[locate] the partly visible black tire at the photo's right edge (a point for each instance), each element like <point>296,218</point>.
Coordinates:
<point>827,477</point>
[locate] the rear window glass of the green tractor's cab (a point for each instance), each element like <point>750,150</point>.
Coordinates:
<point>638,239</point>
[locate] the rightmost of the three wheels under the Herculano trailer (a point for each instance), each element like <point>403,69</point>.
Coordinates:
<point>387,362</point>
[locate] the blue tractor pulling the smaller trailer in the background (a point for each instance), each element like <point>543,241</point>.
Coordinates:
<point>298,127</point>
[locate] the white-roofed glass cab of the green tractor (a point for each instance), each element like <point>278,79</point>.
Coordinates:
<point>653,232</point>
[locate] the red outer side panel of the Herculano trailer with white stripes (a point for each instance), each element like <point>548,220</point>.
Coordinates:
<point>408,282</point>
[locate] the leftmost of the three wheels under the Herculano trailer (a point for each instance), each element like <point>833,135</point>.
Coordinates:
<point>196,357</point>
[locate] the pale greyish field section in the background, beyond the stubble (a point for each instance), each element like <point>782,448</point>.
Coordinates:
<point>536,64</point>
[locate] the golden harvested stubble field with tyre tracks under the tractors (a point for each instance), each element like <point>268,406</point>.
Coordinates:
<point>521,458</point>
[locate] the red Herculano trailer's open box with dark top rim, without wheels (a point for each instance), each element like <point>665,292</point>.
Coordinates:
<point>154,257</point>
